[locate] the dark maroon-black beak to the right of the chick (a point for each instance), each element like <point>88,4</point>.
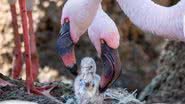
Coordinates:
<point>112,66</point>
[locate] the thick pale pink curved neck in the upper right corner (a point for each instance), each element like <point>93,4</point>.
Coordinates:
<point>167,22</point>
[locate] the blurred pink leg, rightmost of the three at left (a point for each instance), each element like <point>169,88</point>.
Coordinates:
<point>34,55</point>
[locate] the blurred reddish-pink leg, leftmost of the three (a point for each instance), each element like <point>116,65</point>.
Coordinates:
<point>17,60</point>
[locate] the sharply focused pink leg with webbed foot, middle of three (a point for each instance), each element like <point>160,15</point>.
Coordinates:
<point>28,49</point>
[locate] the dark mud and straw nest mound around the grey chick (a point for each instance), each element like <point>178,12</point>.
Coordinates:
<point>62,92</point>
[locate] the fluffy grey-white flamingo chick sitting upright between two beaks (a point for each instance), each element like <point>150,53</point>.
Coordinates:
<point>87,83</point>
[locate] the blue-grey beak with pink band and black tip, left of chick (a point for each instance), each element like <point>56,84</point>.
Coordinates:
<point>65,48</point>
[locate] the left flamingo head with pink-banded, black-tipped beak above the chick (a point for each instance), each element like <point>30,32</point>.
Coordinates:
<point>76,18</point>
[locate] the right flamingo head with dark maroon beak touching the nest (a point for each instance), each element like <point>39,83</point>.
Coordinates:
<point>104,35</point>
